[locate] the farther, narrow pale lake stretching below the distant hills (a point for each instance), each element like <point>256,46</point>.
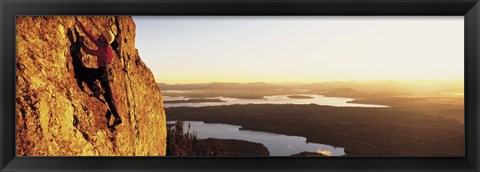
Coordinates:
<point>277,99</point>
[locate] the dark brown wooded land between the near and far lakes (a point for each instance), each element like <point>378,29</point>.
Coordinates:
<point>361,131</point>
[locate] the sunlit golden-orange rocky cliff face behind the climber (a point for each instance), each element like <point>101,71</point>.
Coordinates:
<point>55,116</point>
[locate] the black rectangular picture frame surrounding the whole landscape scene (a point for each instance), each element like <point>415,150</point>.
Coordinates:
<point>470,9</point>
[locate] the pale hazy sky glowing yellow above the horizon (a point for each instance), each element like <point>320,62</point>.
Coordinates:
<point>196,49</point>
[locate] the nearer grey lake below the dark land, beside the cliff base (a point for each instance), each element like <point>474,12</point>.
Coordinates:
<point>277,144</point>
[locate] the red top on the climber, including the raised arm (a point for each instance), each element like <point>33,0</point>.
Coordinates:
<point>104,51</point>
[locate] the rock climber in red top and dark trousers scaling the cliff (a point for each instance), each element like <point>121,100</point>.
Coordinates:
<point>104,71</point>
